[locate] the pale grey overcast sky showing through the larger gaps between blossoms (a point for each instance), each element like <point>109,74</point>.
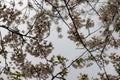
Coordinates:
<point>67,48</point>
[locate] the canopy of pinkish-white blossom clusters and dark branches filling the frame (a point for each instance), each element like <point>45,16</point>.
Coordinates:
<point>92,25</point>
